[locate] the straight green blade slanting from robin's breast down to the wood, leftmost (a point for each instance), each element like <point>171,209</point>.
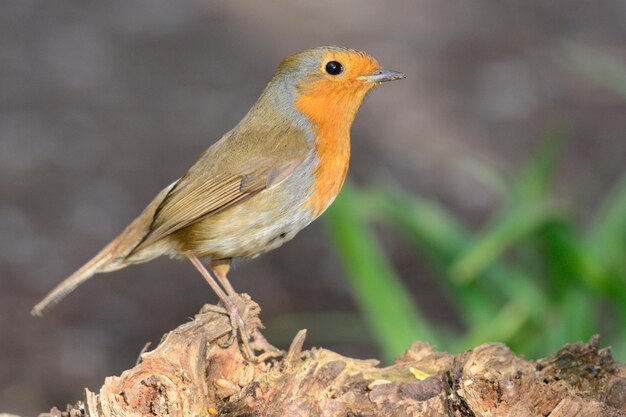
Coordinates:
<point>389,310</point>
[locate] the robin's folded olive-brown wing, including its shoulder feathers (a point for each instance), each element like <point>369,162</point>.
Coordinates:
<point>213,185</point>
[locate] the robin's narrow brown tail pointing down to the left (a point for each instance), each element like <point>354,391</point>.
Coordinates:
<point>95,265</point>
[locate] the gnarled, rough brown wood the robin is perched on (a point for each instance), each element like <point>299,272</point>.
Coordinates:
<point>190,374</point>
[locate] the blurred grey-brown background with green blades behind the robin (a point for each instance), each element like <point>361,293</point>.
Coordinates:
<point>486,200</point>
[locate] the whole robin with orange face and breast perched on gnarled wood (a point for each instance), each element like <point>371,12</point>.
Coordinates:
<point>260,184</point>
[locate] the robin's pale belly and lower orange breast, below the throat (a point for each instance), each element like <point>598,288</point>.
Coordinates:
<point>276,215</point>
